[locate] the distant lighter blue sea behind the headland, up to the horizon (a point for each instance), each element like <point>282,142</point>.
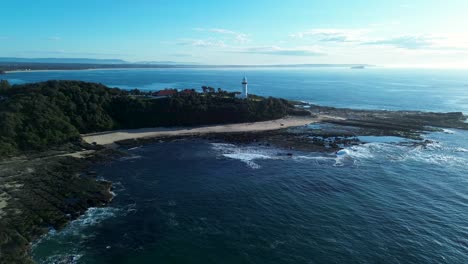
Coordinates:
<point>373,88</point>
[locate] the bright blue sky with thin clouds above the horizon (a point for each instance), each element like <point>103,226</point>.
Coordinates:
<point>416,33</point>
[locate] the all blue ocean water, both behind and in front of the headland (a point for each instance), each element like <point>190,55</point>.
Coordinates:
<point>201,201</point>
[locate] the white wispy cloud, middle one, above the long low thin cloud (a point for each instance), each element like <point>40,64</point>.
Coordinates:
<point>332,35</point>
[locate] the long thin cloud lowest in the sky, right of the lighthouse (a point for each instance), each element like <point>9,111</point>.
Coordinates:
<point>275,50</point>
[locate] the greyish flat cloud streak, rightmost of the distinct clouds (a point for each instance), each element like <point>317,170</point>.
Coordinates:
<point>405,42</point>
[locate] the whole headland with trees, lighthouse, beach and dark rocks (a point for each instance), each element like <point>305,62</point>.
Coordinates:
<point>51,134</point>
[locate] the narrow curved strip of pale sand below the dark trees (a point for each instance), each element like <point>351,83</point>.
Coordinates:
<point>110,137</point>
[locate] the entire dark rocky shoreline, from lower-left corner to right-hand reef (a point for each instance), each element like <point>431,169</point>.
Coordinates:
<point>44,191</point>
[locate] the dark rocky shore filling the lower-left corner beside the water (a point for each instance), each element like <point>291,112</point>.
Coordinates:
<point>44,191</point>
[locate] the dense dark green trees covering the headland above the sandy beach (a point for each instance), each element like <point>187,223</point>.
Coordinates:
<point>39,115</point>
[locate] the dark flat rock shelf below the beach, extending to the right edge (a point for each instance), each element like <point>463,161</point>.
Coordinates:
<point>338,128</point>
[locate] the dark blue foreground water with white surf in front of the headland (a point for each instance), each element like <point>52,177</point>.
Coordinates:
<point>202,202</point>
